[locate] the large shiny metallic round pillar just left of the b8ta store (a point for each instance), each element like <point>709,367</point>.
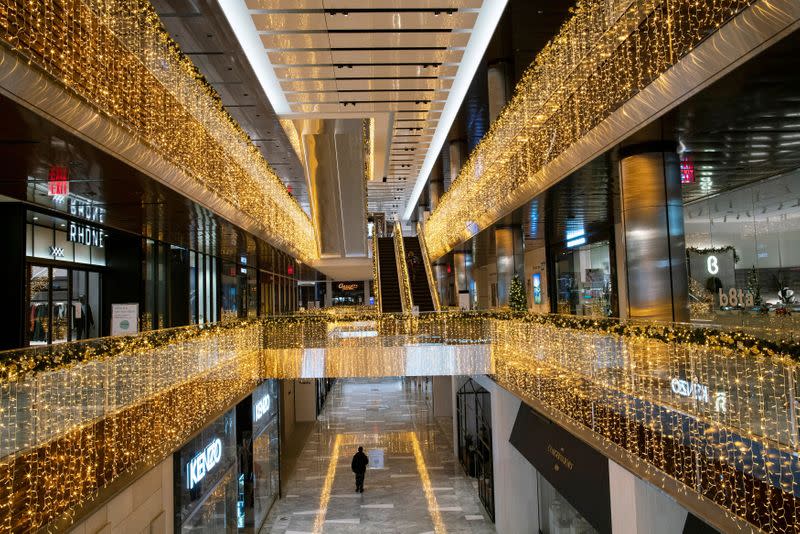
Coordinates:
<point>652,219</point>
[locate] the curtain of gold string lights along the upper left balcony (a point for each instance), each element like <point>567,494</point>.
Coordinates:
<point>116,56</point>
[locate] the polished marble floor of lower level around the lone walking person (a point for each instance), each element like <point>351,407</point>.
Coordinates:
<point>414,484</point>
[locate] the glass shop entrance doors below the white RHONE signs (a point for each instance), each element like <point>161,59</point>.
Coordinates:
<point>63,304</point>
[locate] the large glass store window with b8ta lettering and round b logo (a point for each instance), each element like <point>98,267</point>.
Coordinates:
<point>743,257</point>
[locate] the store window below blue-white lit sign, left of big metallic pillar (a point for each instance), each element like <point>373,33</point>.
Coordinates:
<point>583,278</point>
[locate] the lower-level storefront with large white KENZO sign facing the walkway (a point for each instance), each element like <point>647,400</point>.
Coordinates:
<point>206,480</point>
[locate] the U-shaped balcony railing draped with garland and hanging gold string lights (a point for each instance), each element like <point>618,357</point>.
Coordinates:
<point>709,412</point>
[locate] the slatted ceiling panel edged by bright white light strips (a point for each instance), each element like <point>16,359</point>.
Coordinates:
<point>409,61</point>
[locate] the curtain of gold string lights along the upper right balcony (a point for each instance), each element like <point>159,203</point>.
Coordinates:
<point>608,51</point>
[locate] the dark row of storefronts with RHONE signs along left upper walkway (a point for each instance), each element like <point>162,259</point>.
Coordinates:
<point>84,231</point>
